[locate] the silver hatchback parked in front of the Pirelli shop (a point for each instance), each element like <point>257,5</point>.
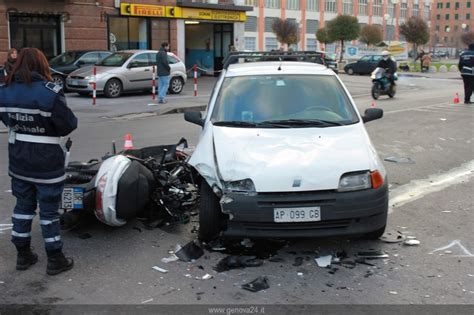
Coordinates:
<point>127,70</point>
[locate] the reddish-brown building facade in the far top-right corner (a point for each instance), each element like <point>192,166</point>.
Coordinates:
<point>449,20</point>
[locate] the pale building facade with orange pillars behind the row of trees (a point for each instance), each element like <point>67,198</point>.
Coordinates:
<point>311,15</point>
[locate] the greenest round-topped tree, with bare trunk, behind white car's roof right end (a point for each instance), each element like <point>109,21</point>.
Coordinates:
<point>343,27</point>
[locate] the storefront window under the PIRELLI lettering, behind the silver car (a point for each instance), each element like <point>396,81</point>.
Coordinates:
<point>128,33</point>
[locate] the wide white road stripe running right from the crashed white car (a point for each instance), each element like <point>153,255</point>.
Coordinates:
<point>417,189</point>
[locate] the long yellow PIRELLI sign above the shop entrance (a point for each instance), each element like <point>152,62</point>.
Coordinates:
<point>145,10</point>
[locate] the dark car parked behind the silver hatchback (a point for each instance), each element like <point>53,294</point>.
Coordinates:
<point>67,62</point>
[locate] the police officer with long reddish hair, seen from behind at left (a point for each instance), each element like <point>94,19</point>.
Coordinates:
<point>35,112</point>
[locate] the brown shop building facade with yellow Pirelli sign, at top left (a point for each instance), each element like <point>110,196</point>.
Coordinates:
<point>199,32</point>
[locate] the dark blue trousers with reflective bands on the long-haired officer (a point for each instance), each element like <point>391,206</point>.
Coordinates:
<point>28,196</point>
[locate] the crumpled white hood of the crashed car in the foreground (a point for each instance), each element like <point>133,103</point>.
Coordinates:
<point>296,159</point>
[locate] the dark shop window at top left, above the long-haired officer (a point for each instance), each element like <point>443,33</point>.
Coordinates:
<point>35,30</point>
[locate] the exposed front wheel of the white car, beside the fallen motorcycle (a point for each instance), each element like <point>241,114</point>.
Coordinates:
<point>210,215</point>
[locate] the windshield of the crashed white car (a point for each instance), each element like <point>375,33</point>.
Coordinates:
<point>273,101</point>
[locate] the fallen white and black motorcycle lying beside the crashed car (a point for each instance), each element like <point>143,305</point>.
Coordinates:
<point>154,183</point>
